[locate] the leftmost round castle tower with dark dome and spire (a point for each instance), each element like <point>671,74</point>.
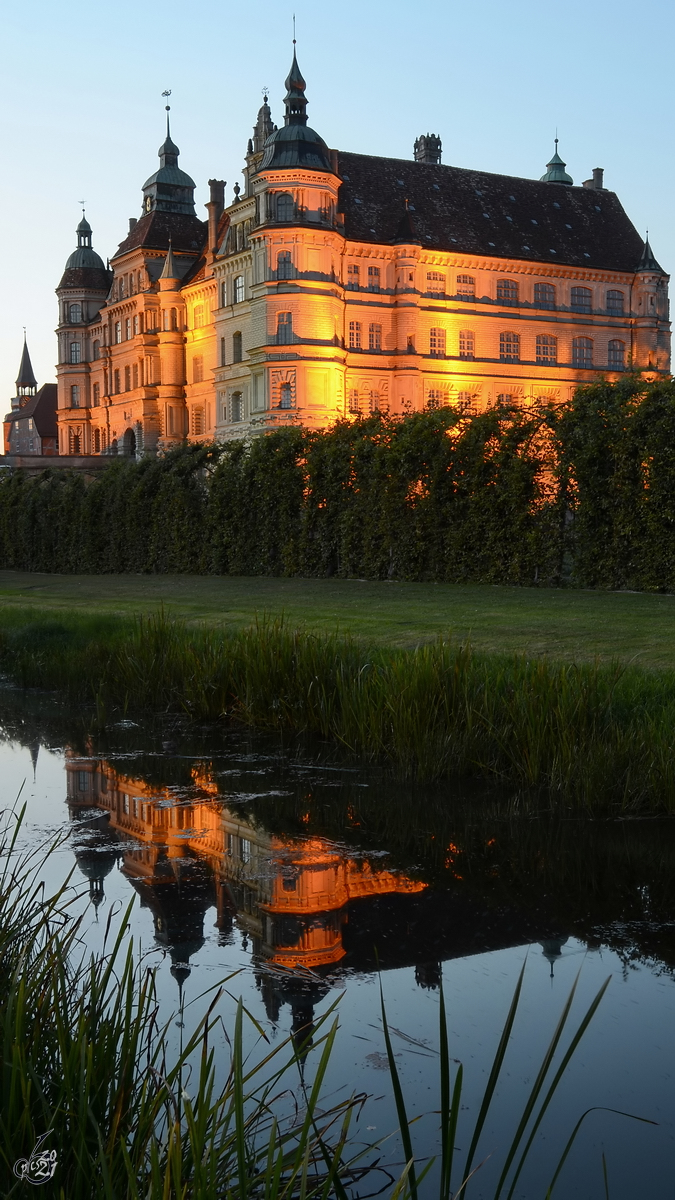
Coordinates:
<point>82,293</point>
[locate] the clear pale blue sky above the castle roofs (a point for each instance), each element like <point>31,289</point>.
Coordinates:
<point>82,112</point>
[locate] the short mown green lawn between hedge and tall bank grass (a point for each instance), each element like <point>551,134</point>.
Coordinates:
<point>566,625</point>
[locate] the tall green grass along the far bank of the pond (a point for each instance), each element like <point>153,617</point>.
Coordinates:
<point>590,736</point>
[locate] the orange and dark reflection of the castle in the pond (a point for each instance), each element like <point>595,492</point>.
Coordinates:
<point>309,908</point>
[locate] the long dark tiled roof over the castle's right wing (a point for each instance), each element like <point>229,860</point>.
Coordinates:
<point>475,213</point>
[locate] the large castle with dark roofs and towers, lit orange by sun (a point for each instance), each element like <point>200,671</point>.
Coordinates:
<point>339,284</point>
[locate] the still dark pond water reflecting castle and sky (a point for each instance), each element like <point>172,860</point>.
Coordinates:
<point>303,875</point>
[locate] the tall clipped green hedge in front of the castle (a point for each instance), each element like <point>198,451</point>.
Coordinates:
<point>582,494</point>
